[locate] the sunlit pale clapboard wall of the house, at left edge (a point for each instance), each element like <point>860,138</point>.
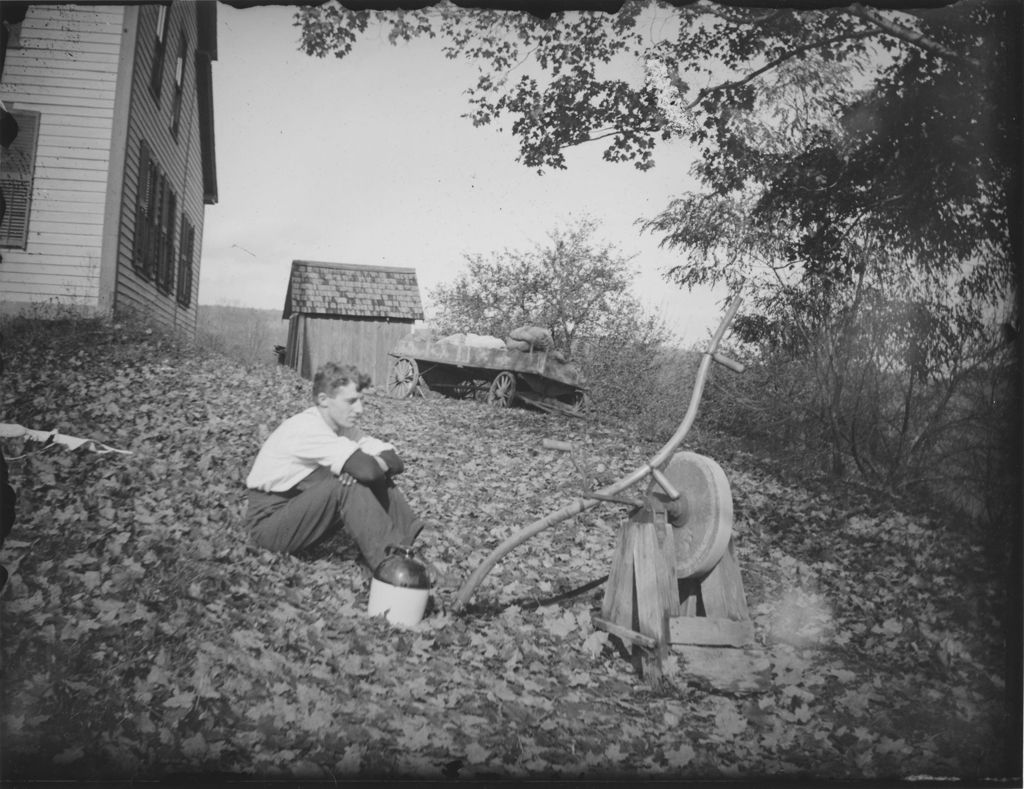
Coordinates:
<point>66,69</point>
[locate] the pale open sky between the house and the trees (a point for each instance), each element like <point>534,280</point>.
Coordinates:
<point>368,161</point>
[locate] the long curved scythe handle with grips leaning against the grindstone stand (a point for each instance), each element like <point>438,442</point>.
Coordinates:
<point>653,468</point>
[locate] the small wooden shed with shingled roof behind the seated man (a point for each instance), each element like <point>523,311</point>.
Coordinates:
<point>349,314</point>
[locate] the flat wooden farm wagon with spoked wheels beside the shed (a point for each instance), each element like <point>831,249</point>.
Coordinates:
<point>499,376</point>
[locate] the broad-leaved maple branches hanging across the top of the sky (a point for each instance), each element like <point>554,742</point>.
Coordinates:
<point>551,74</point>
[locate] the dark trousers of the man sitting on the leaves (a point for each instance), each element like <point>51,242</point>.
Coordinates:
<point>375,516</point>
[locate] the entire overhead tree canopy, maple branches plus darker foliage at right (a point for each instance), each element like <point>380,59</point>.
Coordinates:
<point>901,125</point>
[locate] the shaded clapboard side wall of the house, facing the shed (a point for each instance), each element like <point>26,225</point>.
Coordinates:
<point>180,159</point>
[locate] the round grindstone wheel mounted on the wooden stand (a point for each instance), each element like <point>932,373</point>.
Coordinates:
<point>702,518</point>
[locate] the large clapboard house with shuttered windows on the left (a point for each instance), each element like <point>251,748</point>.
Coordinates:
<point>108,179</point>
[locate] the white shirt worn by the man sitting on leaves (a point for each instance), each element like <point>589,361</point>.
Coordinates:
<point>300,446</point>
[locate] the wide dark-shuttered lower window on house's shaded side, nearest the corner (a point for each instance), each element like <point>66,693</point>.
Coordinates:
<point>156,211</point>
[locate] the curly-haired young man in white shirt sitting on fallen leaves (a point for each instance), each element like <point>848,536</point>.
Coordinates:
<point>318,472</point>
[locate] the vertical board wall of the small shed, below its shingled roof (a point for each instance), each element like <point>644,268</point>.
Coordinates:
<point>363,343</point>
